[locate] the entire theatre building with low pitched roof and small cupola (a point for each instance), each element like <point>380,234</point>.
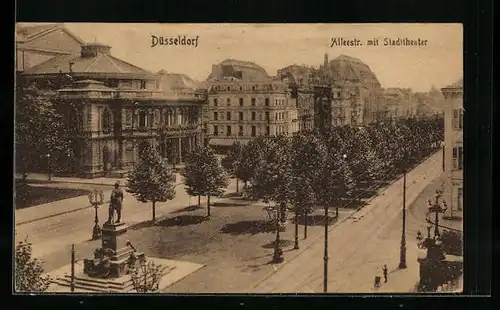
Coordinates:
<point>111,105</point>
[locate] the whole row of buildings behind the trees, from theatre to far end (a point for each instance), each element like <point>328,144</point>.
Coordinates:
<point>111,105</point>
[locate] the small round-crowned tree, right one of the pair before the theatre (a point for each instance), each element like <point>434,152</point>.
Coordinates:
<point>204,174</point>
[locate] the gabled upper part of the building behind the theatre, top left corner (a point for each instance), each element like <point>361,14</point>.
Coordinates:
<point>37,43</point>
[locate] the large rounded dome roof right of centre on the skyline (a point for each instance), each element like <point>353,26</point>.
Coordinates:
<point>346,68</point>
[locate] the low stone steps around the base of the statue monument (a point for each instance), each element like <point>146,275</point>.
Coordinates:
<point>119,285</point>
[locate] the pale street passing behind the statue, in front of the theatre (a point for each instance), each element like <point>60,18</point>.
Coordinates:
<point>50,234</point>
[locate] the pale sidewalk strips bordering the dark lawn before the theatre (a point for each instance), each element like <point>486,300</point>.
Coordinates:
<point>55,208</point>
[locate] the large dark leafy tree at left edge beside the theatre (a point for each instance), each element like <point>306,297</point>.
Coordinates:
<point>40,131</point>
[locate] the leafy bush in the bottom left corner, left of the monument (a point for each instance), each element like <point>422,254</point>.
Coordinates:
<point>29,271</point>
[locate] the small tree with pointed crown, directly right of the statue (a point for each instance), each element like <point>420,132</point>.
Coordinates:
<point>151,180</point>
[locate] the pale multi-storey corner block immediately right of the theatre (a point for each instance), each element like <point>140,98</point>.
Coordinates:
<point>244,102</point>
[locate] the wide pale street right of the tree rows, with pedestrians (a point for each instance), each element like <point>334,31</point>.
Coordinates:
<point>359,248</point>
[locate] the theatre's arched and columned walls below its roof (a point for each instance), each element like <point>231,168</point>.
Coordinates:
<point>112,128</point>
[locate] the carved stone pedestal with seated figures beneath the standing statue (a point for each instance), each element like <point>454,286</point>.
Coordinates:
<point>119,252</point>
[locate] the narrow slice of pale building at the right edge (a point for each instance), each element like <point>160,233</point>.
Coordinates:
<point>453,148</point>
